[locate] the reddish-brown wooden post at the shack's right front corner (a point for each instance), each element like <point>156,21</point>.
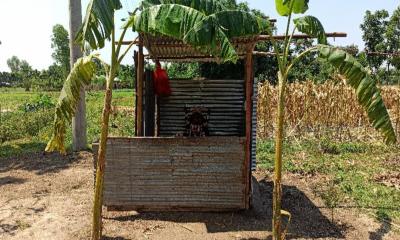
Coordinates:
<point>249,111</point>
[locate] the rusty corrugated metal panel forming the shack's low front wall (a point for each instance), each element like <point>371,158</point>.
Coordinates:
<point>175,173</point>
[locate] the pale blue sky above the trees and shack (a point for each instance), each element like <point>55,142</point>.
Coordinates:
<point>25,25</point>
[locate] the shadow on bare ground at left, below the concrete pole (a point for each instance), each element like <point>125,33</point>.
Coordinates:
<point>37,161</point>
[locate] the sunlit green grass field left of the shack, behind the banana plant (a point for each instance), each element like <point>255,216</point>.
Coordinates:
<point>29,132</point>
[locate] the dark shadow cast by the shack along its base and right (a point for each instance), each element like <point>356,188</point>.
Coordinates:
<point>307,220</point>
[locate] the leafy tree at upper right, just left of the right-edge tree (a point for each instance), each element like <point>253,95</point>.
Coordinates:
<point>374,28</point>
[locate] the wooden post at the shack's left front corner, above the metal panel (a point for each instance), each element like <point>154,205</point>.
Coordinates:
<point>139,90</point>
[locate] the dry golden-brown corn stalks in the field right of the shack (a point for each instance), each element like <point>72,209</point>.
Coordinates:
<point>328,109</point>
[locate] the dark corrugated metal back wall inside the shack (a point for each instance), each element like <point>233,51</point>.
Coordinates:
<point>224,100</point>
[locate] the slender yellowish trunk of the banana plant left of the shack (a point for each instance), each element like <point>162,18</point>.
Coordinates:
<point>98,195</point>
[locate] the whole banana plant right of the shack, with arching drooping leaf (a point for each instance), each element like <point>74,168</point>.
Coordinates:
<point>368,95</point>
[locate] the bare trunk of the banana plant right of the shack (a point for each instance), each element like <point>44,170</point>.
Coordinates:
<point>277,193</point>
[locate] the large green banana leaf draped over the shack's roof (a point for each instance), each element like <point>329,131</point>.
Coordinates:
<point>209,34</point>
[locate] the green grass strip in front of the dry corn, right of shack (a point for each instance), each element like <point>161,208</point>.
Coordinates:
<point>350,167</point>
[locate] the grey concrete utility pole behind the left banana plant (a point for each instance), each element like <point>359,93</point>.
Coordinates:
<point>79,141</point>
